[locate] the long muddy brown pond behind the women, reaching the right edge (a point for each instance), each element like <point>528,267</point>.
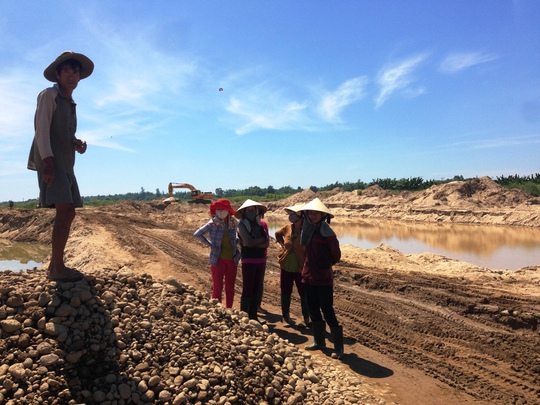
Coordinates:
<point>495,247</point>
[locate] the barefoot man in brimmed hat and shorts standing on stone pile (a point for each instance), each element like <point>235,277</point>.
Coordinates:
<point>52,153</point>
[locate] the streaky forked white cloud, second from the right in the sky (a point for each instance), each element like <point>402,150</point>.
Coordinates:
<point>398,76</point>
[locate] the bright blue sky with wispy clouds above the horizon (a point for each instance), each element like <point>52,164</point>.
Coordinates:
<point>313,92</point>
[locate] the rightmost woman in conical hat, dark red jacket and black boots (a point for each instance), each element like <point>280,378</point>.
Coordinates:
<point>322,252</point>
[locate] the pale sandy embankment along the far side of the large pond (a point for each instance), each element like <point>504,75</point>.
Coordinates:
<point>478,201</point>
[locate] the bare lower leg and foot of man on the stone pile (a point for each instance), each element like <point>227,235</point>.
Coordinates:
<point>65,213</point>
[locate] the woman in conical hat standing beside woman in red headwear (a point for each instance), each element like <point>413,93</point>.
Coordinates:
<point>253,241</point>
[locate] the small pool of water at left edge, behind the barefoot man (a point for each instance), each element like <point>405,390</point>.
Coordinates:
<point>21,256</point>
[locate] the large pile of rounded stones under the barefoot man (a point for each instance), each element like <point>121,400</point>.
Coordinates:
<point>121,338</point>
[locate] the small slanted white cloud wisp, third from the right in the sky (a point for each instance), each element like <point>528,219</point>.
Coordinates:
<point>334,102</point>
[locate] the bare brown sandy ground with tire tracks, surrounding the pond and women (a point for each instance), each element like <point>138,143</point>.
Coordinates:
<point>419,329</point>
